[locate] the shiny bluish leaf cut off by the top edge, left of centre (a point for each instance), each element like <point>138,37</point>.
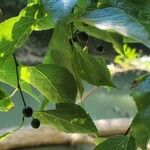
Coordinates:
<point>59,9</point>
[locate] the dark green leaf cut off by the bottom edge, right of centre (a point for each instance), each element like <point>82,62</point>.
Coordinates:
<point>117,143</point>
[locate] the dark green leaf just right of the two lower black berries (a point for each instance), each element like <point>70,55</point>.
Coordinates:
<point>68,117</point>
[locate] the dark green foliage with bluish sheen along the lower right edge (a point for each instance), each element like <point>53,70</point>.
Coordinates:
<point>141,123</point>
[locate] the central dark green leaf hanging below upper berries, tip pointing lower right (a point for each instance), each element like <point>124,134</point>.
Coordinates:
<point>93,70</point>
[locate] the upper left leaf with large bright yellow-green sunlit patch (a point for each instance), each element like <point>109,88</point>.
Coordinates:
<point>14,31</point>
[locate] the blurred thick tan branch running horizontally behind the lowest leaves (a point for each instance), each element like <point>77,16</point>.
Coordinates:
<point>45,135</point>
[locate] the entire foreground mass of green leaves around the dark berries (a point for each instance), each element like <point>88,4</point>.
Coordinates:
<point>66,64</point>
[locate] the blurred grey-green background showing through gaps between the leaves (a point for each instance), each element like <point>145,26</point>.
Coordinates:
<point>103,103</point>
